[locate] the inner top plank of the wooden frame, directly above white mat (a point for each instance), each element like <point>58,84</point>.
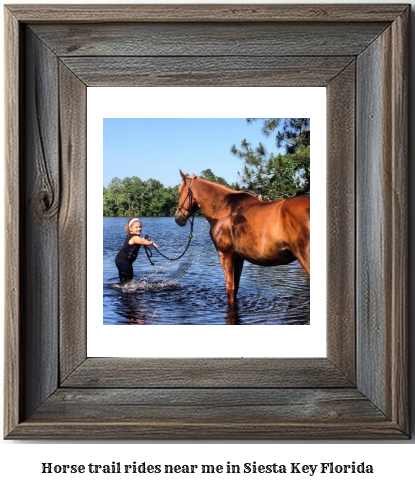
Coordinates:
<point>207,71</point>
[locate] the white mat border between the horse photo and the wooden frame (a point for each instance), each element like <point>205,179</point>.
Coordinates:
<point>218,341</point>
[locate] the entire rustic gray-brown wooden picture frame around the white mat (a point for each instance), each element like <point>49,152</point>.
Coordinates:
<point>360,53</point>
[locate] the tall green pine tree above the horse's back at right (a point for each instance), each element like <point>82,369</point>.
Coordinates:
<point>287,174</point>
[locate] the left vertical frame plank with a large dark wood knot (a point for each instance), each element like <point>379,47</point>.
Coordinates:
<point>38,253</point>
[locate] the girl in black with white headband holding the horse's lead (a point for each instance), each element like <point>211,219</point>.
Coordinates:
<point>128,253</point>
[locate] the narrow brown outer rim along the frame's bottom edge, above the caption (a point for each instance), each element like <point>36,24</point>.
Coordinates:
<point>213,431</point>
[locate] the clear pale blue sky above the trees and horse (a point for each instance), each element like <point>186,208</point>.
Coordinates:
<point>158,148</point>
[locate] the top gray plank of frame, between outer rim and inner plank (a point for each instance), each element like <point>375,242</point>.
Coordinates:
<point>181,39</point>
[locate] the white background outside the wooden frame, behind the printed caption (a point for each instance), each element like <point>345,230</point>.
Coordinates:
<point>20,462</point>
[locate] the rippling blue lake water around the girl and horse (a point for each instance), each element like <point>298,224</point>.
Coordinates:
<point>191,291</point>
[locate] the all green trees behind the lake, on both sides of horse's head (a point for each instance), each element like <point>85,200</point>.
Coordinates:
<point>267,176</point>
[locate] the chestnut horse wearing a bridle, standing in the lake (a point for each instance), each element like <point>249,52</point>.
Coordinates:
<point>244,228</point>
